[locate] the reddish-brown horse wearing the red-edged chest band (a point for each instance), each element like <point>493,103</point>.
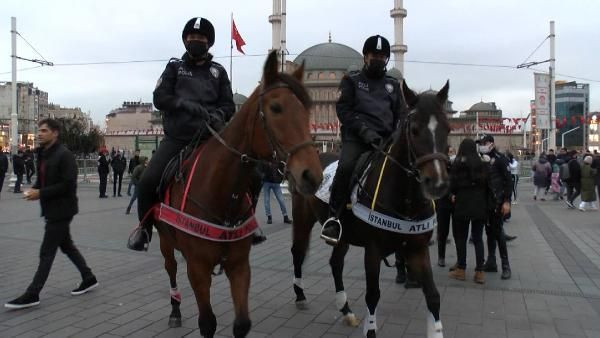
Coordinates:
<point>273,125</point>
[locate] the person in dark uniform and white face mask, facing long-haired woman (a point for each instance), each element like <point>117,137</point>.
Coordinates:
<point>500,183</point>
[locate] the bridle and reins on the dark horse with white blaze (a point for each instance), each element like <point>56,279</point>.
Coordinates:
<point>414,162</point>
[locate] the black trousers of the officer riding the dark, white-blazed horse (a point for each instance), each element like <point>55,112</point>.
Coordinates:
<point>340,191</point>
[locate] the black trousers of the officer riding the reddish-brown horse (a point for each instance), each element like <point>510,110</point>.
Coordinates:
<point>146,188</point>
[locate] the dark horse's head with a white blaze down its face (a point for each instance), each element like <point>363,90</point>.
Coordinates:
<point>426,132</point>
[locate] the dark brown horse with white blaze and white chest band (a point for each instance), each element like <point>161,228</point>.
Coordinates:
<point>402,181</point>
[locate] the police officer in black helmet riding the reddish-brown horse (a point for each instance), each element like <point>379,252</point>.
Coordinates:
<point>191,91</point>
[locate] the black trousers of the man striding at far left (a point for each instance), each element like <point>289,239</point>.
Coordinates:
<point>57,235</point>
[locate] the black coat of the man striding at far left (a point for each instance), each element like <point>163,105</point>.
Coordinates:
<point>57,182</point>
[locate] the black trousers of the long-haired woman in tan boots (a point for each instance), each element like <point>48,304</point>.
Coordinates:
<point>460,231</point>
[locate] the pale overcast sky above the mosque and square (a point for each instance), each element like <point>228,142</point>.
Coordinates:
<point>491,32</point>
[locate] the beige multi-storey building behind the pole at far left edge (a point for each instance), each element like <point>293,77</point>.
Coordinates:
<point>32,103</point>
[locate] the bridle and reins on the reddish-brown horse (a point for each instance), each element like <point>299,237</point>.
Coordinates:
<point>280,154</point>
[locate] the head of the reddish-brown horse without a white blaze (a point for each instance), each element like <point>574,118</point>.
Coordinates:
<point>284,107</point>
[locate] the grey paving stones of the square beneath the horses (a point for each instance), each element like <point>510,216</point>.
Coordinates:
<point>554,292</point>
